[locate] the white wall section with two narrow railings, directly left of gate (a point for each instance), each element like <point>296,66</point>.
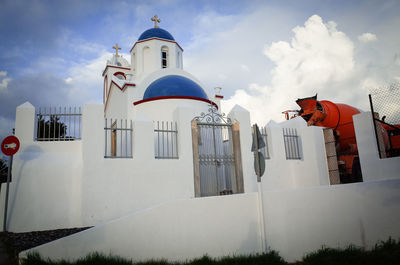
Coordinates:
<point>115,187</point>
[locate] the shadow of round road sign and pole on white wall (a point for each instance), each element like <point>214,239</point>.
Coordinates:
<point>29,153</point>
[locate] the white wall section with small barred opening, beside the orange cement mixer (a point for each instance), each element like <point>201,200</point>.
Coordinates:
<point>310,170</point>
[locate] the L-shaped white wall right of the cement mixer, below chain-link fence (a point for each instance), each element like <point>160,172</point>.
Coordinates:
<point>372,167</point>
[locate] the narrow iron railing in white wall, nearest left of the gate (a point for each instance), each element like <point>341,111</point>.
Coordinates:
<point>166,140</point>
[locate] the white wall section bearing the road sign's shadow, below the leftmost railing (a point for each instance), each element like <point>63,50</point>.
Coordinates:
<point>45,188</point>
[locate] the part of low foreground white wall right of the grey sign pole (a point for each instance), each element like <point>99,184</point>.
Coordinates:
<point>298,221</point>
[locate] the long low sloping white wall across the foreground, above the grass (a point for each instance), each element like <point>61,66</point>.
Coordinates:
<point>297,221</point>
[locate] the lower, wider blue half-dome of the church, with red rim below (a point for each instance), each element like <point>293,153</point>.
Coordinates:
<point>174,85</point>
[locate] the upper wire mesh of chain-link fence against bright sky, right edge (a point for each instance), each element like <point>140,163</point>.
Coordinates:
<point>386,102</point>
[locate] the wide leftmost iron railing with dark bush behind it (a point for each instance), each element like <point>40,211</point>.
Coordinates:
<point>58,124</point>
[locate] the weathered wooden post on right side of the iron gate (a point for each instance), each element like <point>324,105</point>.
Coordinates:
<point>237,153</point>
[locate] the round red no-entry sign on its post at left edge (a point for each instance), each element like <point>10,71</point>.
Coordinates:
<point>9,147</point>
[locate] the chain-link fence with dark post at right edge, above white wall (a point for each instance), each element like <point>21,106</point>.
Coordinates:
<point>385,106</point>
